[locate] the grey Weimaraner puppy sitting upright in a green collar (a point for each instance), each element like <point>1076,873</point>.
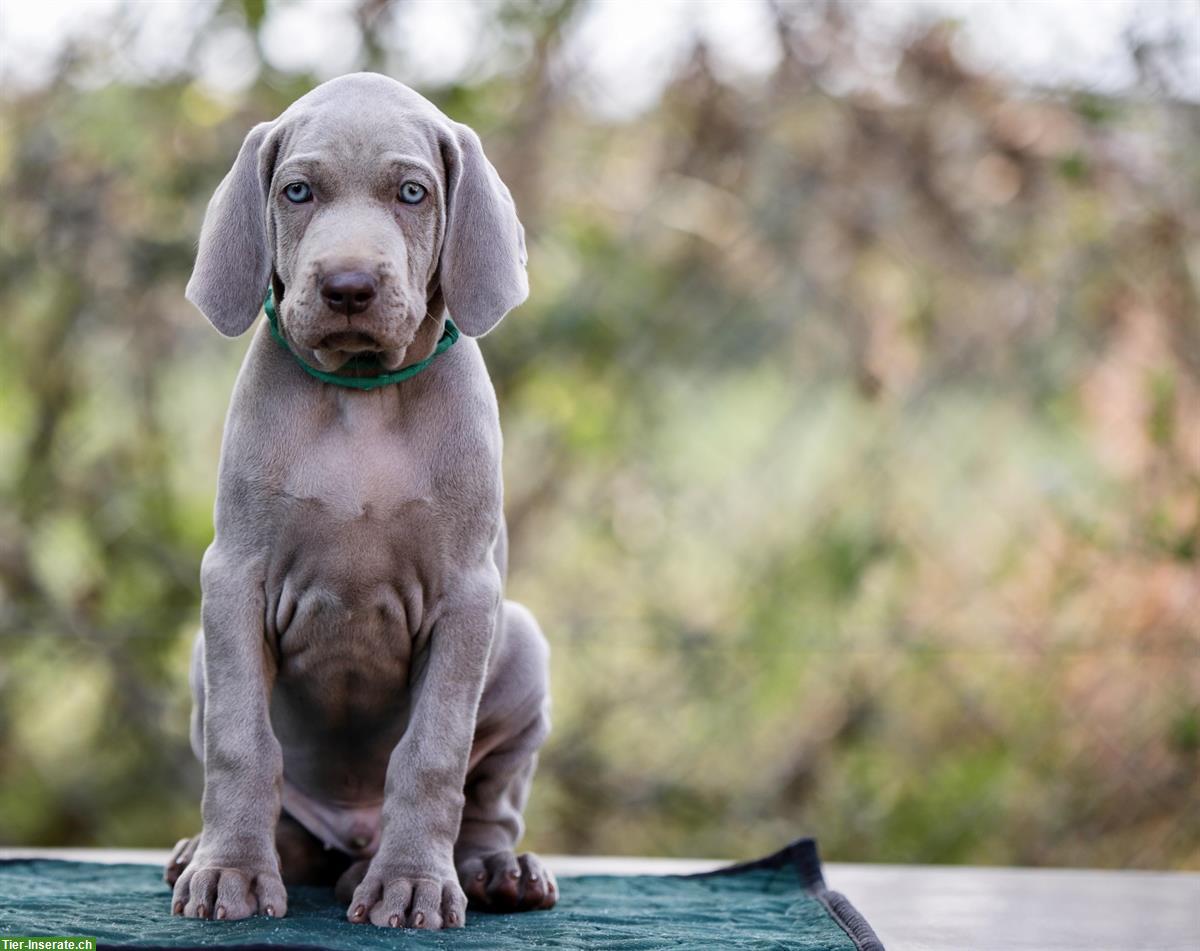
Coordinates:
<point>368,708</point>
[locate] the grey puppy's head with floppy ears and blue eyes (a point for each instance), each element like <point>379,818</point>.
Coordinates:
<point>368,211</point>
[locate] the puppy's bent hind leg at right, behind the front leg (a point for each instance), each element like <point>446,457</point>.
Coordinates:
<point>512,726</point>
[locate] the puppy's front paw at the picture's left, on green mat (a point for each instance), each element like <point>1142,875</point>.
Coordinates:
<point>213,890</point>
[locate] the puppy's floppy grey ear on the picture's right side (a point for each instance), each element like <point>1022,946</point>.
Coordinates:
<point>484,254</point>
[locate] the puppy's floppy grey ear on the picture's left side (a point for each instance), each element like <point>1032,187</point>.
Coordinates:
<point>233,264</point>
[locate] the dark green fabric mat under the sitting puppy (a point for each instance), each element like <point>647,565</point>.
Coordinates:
<point>779,902</point>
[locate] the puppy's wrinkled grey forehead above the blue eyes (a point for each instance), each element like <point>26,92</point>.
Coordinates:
<point>358,125</point>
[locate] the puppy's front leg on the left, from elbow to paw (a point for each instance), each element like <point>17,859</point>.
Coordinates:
<point>236,869</point>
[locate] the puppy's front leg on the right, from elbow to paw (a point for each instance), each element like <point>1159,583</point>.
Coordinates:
<point>412,880</point>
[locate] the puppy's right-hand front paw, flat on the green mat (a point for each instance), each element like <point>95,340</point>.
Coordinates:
<point>401,896</point>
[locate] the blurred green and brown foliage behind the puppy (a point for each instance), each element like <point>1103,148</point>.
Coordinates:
<point>853,452</point>
